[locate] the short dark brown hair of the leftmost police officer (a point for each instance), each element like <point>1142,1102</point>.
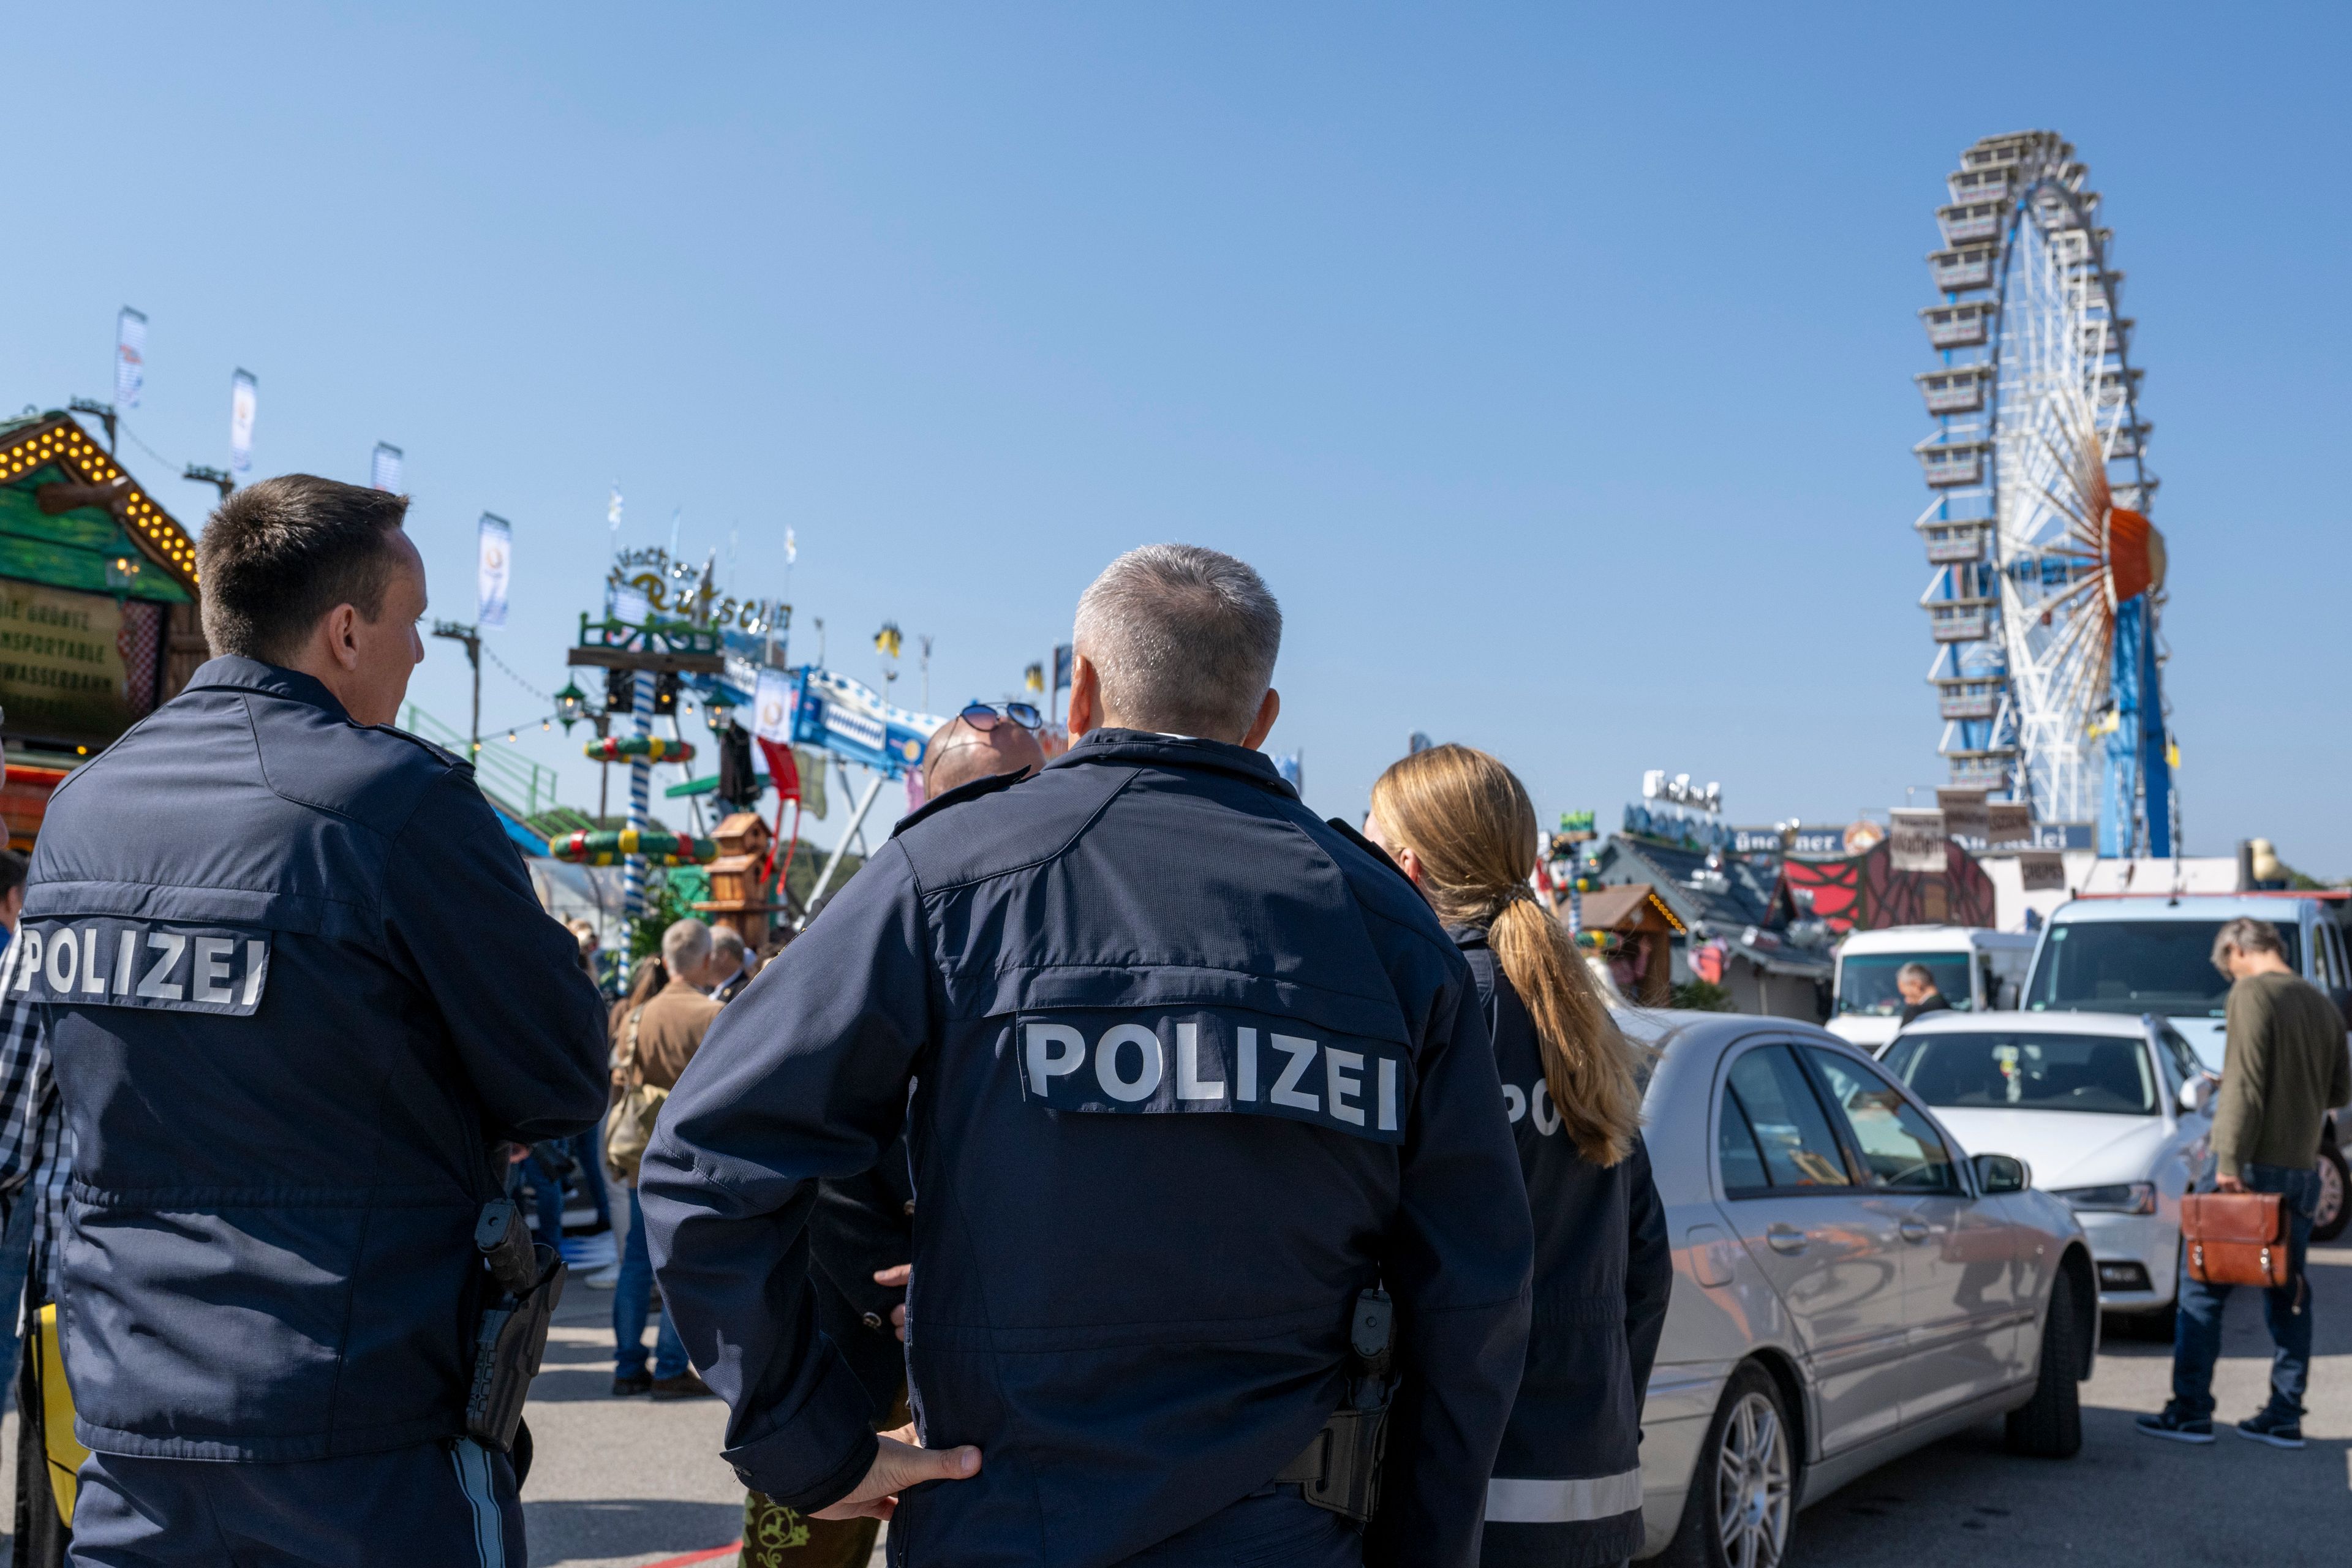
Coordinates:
<point>286,551</point>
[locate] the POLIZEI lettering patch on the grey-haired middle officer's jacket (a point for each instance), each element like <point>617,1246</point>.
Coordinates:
<point>1151,1064</point>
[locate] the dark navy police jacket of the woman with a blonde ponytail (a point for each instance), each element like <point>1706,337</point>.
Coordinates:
<point>1568,1485</point>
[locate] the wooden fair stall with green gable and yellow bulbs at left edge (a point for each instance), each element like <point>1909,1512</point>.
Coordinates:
<point>98,608</point>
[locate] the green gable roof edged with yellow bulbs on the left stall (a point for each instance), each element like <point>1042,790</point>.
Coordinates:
<point>74,518</point>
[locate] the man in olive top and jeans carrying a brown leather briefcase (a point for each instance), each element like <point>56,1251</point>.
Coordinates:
<point>2283,1076</point>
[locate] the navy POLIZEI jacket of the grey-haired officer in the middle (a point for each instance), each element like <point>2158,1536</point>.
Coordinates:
<point>1182,1071</point>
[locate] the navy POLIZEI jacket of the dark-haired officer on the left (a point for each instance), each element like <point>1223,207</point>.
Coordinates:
<point>298,986</point>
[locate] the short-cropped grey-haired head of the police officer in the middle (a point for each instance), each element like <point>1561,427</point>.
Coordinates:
<point>1182,638</point>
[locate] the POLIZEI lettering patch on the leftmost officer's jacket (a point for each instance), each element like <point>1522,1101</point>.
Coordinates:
<point>140,963</point>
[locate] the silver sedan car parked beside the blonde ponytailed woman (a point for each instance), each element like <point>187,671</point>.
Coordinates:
<point>1847,1285</point>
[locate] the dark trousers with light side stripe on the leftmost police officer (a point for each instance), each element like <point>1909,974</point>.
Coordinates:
<point>448,1503</point>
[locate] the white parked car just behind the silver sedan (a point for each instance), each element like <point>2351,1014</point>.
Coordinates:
<point>2113,1115</point>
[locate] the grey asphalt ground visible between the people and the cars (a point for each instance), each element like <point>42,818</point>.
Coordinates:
<point>627,1482</point>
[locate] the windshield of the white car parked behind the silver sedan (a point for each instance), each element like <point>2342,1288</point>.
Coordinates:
<point>2026,1071</point>
